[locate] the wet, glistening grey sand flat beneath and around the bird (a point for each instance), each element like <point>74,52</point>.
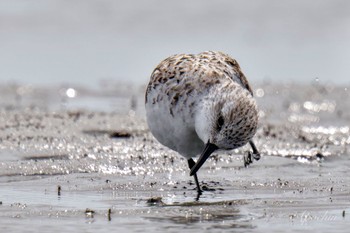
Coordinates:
<point>113,175</point>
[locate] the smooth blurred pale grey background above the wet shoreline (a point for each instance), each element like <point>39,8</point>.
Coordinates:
<point>87,42</point>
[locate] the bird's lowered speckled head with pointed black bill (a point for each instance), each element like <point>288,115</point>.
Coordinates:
<point>225,123</point>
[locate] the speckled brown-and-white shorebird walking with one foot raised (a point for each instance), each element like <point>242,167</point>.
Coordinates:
<point>197,104</point>
